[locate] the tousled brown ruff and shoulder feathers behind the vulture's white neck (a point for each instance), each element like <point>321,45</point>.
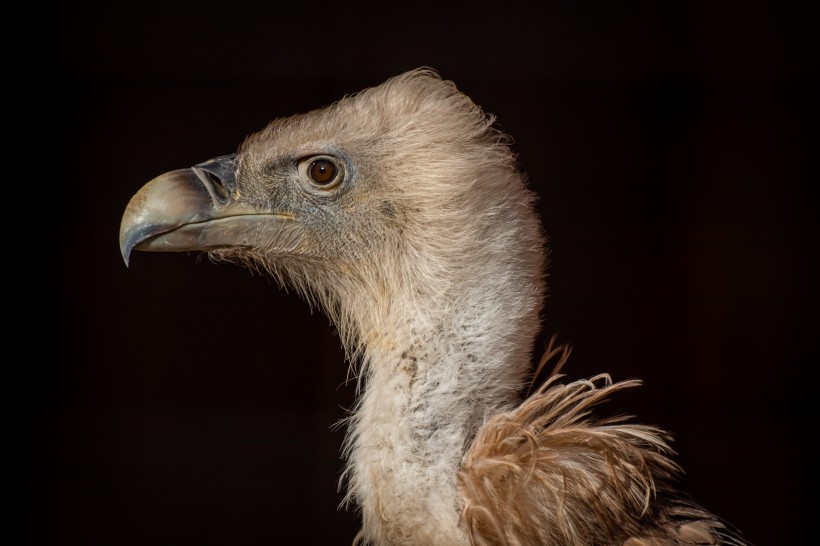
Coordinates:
<point>549,472</point>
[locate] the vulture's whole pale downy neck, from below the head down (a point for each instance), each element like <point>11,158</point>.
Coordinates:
<point>438,358</point>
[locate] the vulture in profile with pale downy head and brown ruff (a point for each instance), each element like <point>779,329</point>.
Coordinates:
<point>401,212</point>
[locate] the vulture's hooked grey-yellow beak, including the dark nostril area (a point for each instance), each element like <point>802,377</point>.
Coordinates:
<point>200,209</point>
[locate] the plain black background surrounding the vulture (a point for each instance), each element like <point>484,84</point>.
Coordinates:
<point>180,402</point>
